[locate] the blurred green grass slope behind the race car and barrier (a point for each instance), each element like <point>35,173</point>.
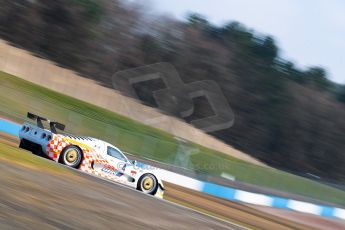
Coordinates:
<point>17,97</point>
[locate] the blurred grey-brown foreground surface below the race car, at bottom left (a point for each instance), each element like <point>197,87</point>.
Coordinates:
<point>32,199</point>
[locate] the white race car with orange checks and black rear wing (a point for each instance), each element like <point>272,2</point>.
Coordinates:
<point>88,154</point>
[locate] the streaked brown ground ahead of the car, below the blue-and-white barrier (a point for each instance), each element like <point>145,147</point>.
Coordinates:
<point>257,217</point>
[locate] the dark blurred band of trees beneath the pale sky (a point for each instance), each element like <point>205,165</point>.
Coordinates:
<point>290,118</point>
